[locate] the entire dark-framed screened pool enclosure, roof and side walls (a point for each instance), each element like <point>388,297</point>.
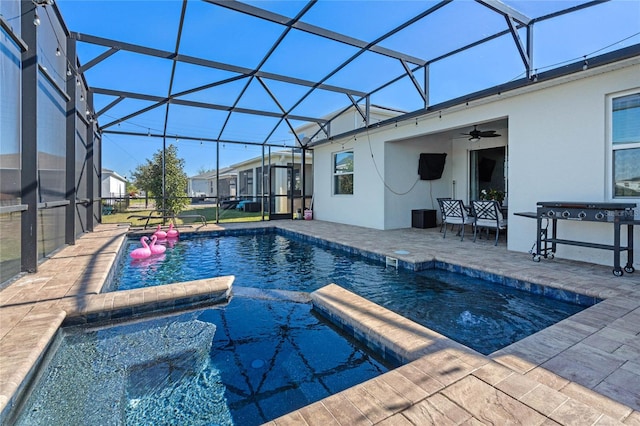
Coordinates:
<point>87,86</point>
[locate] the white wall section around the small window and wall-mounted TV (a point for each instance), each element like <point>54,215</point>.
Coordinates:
<point>396,151</point>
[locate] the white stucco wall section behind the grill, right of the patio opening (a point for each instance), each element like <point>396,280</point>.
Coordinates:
<point>563,154</point>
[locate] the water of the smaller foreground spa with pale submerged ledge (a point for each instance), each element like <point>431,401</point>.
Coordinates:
<point>260,357</point>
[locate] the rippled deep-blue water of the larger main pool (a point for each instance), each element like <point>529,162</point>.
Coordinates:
<point>474,312</point>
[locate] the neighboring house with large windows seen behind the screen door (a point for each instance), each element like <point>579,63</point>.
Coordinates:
<point>283,183</point>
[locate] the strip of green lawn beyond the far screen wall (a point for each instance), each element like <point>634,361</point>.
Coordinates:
<point>209,212</point>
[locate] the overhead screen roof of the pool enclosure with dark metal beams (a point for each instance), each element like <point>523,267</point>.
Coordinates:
<point>252,72</point>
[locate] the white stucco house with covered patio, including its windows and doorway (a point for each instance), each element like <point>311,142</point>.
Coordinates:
<point>558,142</point>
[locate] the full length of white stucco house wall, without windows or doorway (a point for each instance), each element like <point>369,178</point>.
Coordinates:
<point>557,149</point>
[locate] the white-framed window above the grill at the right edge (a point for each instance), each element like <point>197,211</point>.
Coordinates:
<point>625,143</point>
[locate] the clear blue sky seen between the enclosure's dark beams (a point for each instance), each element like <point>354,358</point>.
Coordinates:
<point>218,34</point>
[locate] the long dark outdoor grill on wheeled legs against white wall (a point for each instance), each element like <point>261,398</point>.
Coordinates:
<point>618,214</point>
